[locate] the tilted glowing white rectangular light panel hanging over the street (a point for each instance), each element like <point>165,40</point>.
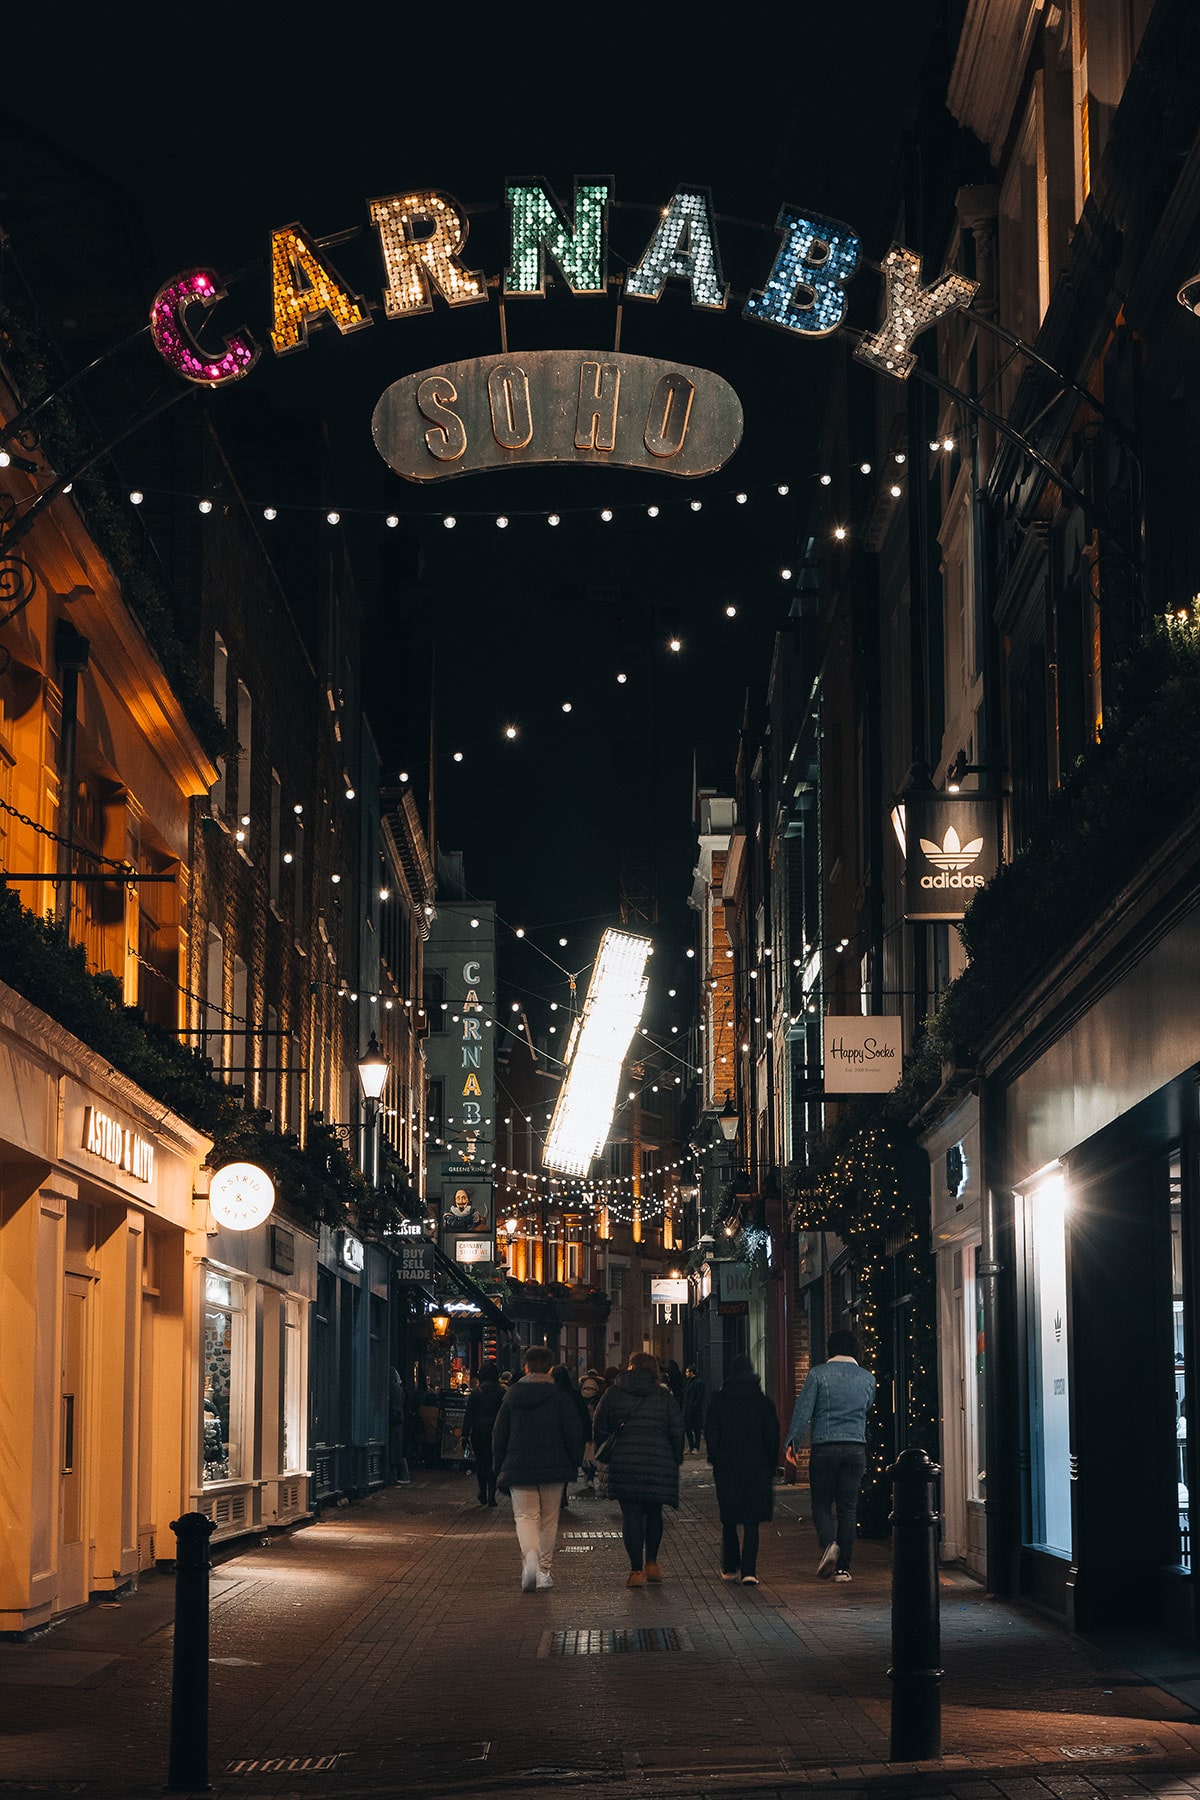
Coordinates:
<point>596,1054</point>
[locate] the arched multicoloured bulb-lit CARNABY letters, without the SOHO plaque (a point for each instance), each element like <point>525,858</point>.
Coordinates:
<point>422,240</point>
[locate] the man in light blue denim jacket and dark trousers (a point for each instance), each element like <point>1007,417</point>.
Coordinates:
<point>832,1410</point>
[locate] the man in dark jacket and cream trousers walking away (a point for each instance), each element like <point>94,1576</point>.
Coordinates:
<point>537,1446</point>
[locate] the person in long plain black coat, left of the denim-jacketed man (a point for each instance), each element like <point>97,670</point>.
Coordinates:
<point>742,1437</point>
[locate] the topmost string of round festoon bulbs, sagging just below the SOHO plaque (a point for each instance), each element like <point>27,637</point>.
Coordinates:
<point>273,512</point>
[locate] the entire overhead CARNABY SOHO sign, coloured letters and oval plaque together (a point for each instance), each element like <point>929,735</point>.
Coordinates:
<point>550,406</point>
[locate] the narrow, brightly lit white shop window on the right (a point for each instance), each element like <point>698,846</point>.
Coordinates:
<point>1050,1398</point>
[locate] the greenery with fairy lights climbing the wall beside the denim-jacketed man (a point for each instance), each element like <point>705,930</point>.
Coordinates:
<point>873,1192</point>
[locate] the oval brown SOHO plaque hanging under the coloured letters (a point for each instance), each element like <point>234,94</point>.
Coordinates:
<point>551,406</point>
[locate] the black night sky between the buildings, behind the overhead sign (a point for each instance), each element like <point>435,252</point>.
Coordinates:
<point>228,130</point>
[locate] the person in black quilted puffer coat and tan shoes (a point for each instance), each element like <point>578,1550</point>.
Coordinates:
<point>641,1425</point>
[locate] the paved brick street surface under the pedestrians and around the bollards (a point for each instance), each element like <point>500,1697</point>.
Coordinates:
<point>390,1650</point>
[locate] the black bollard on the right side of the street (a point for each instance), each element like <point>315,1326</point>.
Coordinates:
<point>917,1628</point>
